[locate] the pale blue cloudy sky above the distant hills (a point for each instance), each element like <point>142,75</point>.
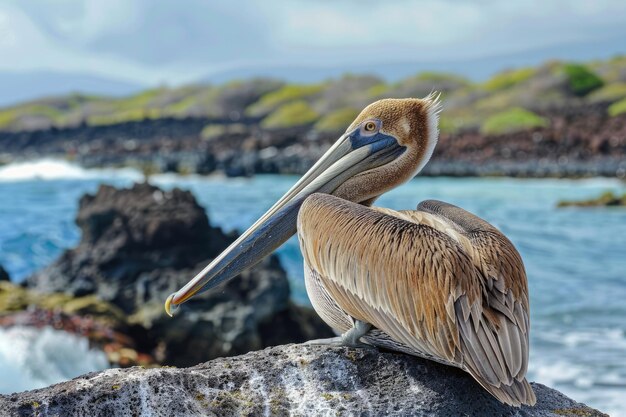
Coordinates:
<point>162,41</point>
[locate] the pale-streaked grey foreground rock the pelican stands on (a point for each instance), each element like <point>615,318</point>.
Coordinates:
<point>295,380</point>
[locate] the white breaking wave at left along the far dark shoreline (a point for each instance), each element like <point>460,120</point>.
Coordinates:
<point>55,169</point>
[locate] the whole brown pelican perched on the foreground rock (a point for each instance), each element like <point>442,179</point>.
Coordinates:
<point>436,282</point>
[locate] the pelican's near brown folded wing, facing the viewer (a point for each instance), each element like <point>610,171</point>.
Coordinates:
<point>414,275</point>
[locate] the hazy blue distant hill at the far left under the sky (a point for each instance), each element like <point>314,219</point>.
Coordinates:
<point>18,87</point>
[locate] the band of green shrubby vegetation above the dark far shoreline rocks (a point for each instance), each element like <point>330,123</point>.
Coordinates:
<point>509,101</point>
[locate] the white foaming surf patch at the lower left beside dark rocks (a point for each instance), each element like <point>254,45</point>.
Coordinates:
<point>34,358</point>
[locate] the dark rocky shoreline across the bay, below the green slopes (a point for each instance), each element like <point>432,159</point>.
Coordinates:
<point>580,141</point>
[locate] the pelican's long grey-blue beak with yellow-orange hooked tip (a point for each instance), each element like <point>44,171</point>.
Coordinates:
<point>350,155</point>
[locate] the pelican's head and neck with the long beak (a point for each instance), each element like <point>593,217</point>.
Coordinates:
<point>386,145</point>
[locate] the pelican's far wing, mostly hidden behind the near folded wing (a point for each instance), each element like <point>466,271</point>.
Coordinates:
<point>505,295</point>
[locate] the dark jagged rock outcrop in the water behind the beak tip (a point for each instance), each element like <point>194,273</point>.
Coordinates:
<point>141,244</point>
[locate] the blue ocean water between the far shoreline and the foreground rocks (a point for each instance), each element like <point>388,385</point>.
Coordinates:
<point>575,258</point>
